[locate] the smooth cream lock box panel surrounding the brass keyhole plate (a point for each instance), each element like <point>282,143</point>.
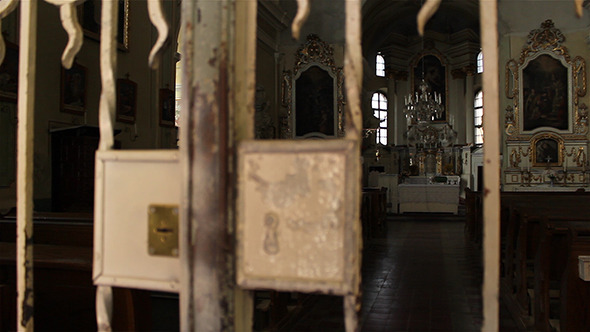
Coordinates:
<point>127,182</point>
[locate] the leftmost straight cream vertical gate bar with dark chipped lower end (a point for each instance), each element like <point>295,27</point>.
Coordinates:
<point>26,121</point>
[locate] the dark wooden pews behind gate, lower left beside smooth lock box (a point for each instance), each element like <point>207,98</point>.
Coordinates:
<point>64,293</point>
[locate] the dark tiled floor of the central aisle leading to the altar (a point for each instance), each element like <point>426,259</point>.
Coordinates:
<point>420,275</point>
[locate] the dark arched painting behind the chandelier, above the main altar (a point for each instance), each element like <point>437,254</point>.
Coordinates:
<point>431,69</point>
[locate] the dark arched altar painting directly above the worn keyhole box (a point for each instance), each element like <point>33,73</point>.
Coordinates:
<point>314,102</point>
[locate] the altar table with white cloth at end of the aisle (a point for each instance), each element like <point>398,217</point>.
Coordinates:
<point>430,196</point>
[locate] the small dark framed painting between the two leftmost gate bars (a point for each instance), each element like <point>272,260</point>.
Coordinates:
<point>73,89</point>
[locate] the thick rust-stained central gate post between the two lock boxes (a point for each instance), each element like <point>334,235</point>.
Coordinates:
<point>206,291</point>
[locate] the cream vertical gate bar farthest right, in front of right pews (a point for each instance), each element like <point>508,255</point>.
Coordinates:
<point>491,192</point>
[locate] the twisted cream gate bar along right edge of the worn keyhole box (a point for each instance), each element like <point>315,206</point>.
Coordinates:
<point>353,71</point>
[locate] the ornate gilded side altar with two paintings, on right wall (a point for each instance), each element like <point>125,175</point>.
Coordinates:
<point>546,126</point>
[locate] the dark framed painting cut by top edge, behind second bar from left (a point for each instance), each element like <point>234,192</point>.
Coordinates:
<point>89,17</point>
